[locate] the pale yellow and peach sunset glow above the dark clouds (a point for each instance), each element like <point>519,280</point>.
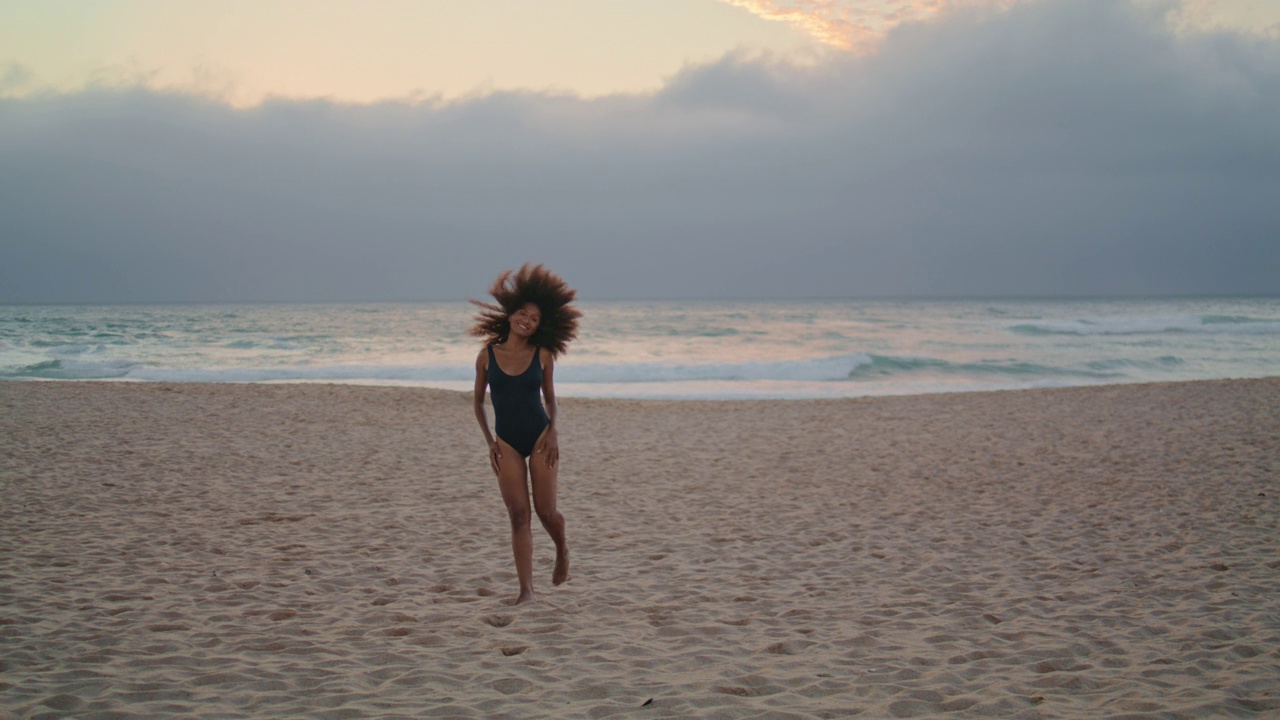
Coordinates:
<point>243,53</point>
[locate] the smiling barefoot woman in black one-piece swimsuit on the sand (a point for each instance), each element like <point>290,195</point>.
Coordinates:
<point>532,325</point>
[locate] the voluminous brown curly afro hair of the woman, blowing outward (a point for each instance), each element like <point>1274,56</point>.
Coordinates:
<point>537,285</point>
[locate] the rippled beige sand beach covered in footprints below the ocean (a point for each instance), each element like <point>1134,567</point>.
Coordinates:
<point>330,552</point>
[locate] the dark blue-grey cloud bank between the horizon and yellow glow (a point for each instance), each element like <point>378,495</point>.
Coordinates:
<point>1066,148</point>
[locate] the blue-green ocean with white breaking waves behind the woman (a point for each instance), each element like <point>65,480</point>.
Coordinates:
<point>668,349</point>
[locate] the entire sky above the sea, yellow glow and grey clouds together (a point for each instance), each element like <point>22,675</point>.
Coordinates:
<point>323,151</point>
